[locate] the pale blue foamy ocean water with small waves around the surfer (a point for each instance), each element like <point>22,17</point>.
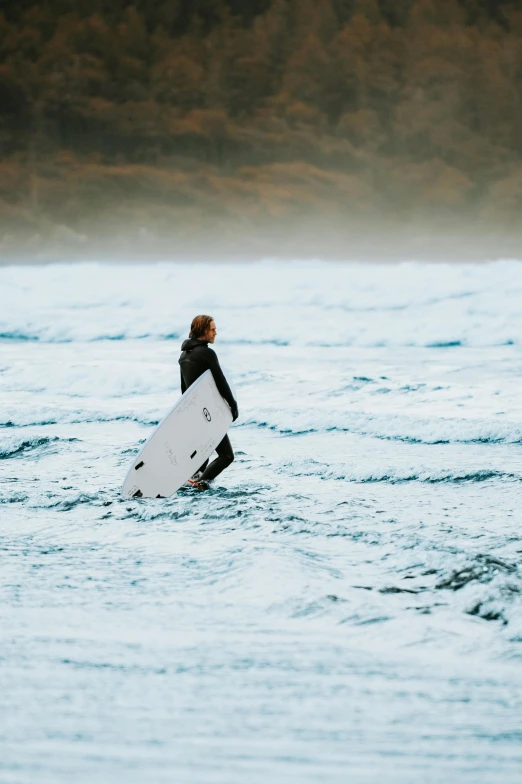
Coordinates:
<point>344,605</point>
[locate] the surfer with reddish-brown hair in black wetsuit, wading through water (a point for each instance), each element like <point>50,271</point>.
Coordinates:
<point>196,357</point>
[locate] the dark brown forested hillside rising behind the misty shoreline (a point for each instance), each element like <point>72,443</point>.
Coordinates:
<point>176,118</point>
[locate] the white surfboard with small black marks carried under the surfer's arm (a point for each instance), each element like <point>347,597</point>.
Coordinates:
<point>181,442</point>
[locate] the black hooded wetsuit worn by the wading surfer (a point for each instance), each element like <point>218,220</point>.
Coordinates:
<point>195,359</point>
